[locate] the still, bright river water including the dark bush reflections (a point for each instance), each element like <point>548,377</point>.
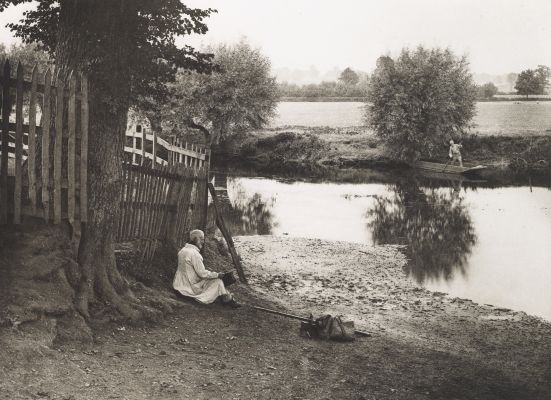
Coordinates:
<point>490,245</point>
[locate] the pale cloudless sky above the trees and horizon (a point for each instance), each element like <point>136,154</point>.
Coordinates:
<point>498,36</point>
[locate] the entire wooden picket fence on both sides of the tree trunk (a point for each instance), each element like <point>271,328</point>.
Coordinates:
<point>43,164</point>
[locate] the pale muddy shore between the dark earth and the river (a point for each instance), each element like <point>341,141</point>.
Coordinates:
<point>368,284</point>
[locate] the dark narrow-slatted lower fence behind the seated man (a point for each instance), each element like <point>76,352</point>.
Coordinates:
<point>161,204</point>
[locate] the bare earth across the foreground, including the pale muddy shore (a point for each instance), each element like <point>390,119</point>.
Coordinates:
<point>423,346</point>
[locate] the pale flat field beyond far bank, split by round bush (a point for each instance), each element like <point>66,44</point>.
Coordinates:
<point>492,118</point>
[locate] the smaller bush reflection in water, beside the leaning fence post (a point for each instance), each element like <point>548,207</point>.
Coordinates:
<point>246,214</point>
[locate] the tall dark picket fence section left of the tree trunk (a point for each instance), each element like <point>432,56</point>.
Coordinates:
<point>43,167</point>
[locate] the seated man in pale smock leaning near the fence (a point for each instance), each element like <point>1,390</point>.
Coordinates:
<point>193,280</point>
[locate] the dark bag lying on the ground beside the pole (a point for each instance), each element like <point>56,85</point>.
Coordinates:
<point>328,328</point>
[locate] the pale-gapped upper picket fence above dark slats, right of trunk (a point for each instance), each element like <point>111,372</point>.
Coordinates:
<point>142,146</point>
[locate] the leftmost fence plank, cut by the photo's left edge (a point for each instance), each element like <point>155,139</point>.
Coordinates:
<point>6,110</point>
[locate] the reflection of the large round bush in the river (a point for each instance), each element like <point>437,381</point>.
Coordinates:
<point>434,224</point>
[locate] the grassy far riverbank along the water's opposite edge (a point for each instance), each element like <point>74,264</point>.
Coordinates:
<point>296,148</point>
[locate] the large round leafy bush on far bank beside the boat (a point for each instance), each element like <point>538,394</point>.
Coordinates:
<point>421,99</point>
